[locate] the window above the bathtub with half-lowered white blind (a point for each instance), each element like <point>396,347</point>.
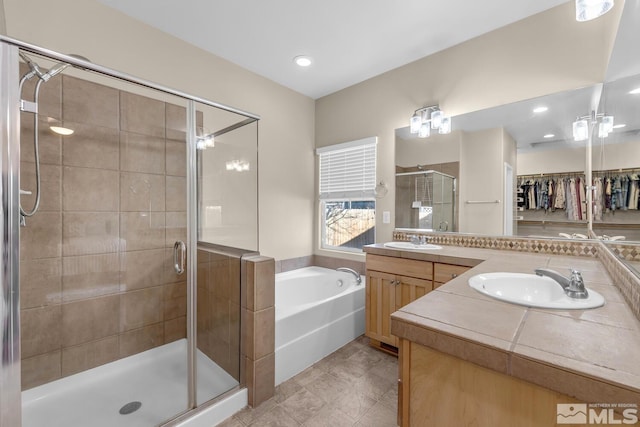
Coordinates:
<point>347,194</point>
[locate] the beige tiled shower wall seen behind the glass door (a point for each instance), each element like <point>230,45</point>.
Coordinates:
<point>97,281</point>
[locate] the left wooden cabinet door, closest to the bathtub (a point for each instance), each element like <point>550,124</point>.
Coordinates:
<point>380,303</point>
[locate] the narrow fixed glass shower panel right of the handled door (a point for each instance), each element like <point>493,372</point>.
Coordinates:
<point>227,194</point>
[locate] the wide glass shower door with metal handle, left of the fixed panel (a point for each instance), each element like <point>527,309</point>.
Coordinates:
<point>103,310</point>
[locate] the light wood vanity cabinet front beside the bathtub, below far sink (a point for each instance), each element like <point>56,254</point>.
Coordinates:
<point>391,284</point>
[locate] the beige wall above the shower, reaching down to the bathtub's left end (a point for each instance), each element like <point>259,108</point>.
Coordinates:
<point>286,130</point>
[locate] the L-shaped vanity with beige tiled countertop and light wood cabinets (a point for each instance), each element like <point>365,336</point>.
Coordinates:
<point>467,359</point>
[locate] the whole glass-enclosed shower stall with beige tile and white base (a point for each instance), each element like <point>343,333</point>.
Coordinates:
<point>128,212</point>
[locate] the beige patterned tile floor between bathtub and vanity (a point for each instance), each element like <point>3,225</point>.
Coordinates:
<point>354,386</point>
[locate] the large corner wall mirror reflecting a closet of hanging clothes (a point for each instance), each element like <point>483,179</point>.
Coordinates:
<point>518,170</point>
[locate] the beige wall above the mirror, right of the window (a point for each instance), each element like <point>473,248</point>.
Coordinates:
<point>546,53</point>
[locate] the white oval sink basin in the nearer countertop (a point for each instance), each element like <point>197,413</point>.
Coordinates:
<point>531,290</point>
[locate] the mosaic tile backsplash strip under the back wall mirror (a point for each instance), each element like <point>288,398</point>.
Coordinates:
<point>520,244</point>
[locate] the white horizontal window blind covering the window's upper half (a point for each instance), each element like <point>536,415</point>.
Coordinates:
<point>348,170</point>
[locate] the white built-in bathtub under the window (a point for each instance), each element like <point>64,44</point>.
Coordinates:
<point>317,310</point>
